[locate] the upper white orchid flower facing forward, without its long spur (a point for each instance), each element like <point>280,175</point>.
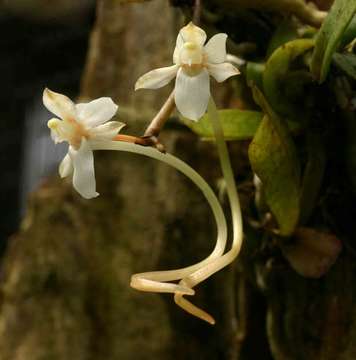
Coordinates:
<point>193,63</point>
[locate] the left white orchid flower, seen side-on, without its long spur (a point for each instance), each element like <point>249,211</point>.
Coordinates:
<point>80,125</point>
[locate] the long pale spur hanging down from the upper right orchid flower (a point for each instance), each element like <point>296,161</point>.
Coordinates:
<point>217,264</point>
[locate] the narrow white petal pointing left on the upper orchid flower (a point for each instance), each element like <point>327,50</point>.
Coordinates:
<point>157,78</point>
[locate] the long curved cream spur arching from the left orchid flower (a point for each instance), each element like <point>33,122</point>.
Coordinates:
<point>155,281</point>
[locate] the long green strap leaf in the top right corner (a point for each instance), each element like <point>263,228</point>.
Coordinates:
<point>330,36</point>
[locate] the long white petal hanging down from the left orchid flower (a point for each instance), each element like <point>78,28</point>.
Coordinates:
<point>84,174</point>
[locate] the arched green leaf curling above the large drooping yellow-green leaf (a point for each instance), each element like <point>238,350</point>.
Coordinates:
<point>276,82</point>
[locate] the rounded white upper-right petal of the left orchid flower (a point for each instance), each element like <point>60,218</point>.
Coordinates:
<point>96,112</point>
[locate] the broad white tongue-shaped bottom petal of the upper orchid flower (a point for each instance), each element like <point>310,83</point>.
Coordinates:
<point>192,94</point>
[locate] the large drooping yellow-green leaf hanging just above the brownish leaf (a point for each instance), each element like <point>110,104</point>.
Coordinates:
<point>273,158</point>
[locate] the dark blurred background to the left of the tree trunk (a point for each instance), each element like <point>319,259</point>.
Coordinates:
<point>43,43</point>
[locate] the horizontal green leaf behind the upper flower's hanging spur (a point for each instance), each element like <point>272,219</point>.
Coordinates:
<point>237,124</point>
